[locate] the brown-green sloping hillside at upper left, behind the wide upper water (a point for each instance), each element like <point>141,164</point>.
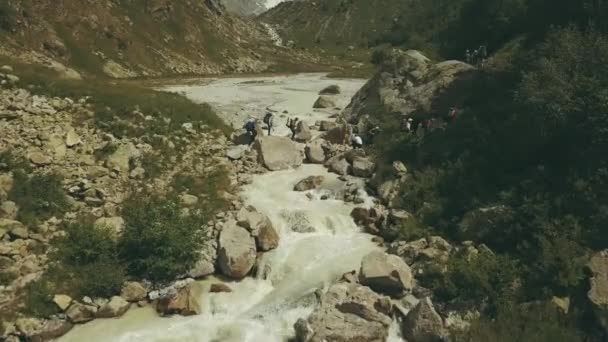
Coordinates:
<point>131,38</point>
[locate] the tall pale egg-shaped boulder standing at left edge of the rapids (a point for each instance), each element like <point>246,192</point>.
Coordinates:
<point>237,251</point>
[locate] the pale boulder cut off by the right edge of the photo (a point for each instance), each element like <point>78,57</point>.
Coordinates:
<point>598,292</point>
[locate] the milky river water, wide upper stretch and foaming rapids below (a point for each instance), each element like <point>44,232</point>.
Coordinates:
<point>264,308</point>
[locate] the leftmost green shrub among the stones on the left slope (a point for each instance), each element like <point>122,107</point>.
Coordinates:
<point>39,196</point>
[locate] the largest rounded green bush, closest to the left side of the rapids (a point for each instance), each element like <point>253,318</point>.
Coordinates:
<point>159,243</point>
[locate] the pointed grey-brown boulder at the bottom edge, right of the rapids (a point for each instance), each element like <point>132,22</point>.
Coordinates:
<point>423,323</point>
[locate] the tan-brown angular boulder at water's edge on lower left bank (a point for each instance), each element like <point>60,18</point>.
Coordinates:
<point>185,302</point>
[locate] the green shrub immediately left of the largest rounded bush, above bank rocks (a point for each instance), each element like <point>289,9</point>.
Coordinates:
<point>87,259</point>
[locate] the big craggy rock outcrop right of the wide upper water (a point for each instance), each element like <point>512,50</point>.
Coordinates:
<point>408,82</point>
